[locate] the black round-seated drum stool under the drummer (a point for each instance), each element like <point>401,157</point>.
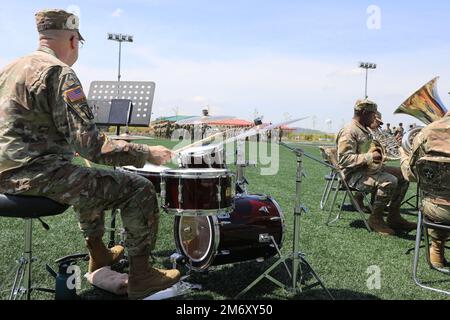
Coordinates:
<point>28,208</point>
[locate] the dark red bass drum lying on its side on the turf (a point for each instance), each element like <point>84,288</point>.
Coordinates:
<point>244,234</point>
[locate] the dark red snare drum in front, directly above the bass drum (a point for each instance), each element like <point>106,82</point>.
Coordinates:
<point>195,192</point>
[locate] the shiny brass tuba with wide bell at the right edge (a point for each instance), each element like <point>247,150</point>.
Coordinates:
<point>426,106</point>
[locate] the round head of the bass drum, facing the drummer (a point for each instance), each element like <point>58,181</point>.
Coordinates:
<point>195,237</point>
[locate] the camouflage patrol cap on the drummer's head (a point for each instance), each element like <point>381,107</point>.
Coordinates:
<point>57,19</point>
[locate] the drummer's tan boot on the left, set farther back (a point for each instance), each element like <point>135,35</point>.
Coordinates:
<point>100,256</point>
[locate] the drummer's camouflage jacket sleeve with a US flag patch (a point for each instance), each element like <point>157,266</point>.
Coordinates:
<point>74,119</point>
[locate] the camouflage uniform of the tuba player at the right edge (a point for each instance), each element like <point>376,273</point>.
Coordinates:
<point>432,144</point>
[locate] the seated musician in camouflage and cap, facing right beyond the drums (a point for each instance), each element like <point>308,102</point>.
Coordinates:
<point>362,167</point>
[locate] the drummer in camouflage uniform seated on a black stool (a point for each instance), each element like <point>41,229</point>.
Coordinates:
<point>44,120</point>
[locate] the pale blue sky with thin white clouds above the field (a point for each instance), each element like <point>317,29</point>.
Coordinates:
<point>280,58</point>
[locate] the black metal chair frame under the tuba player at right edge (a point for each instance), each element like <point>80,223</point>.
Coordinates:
<point>423,225</point>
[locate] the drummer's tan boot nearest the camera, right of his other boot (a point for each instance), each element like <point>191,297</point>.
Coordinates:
<point>144,280</point>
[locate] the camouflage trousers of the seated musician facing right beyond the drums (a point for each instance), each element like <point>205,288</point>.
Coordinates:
<point>389,185</point>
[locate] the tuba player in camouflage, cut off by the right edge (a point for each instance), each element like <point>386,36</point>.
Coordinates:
<point>431,148</point>
